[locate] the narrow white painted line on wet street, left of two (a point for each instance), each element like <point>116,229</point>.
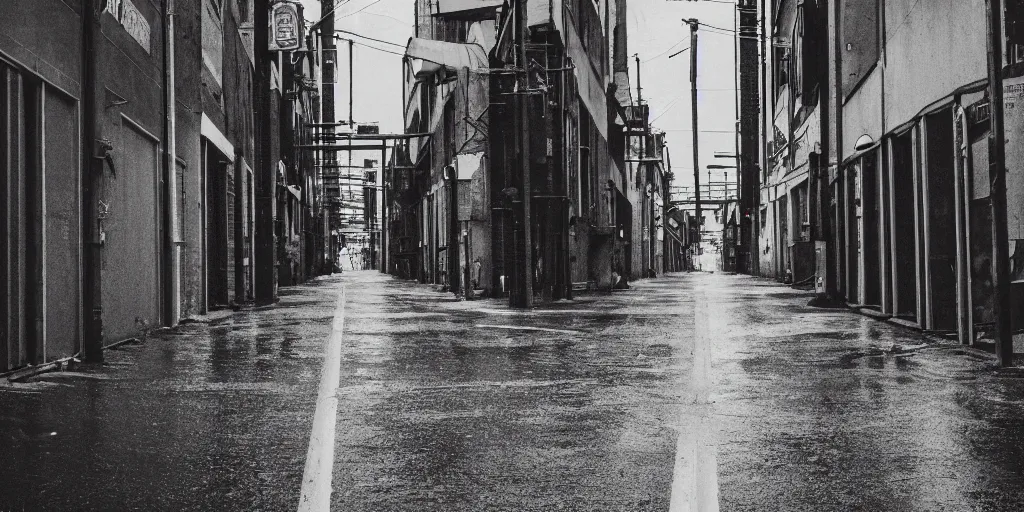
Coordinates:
<point>317,477</point>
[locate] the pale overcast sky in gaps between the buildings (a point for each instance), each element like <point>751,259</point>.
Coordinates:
<point>656,31</point>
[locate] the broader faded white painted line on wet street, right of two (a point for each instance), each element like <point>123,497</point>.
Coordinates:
<point>695,482</point>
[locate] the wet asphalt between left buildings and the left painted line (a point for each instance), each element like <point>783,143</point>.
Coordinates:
<point>196,419</point>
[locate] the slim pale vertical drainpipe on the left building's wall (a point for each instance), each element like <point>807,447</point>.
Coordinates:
<point>173,170</point>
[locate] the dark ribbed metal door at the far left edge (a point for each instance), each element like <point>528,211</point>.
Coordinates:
<point>39,222</point>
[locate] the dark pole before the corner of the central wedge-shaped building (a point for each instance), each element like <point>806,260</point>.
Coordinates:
<point>525,289</point>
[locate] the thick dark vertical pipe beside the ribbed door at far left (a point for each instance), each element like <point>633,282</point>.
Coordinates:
<point>93,342</point>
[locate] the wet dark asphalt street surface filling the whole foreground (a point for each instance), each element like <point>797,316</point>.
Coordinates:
<point>632,401</point>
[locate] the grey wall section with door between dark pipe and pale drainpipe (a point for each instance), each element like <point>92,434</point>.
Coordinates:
<point>132,73</point>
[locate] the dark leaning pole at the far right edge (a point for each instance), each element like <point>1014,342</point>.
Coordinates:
<point>998,182</point>
